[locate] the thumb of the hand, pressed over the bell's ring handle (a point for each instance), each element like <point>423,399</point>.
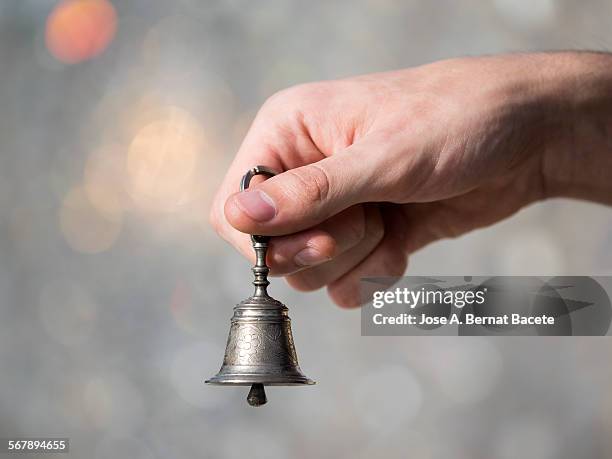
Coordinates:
<point>305,196</point>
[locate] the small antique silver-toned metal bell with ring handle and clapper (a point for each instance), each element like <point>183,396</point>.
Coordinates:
<point>260,349</point>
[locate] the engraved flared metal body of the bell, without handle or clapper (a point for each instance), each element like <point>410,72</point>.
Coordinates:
<point>260,347</point>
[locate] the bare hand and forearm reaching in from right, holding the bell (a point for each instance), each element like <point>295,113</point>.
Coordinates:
<point>378,166</point>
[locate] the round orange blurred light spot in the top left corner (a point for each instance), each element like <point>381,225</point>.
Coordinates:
<point>78,30</point>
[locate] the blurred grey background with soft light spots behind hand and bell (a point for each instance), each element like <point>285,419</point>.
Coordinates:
<point>117,121</point>
